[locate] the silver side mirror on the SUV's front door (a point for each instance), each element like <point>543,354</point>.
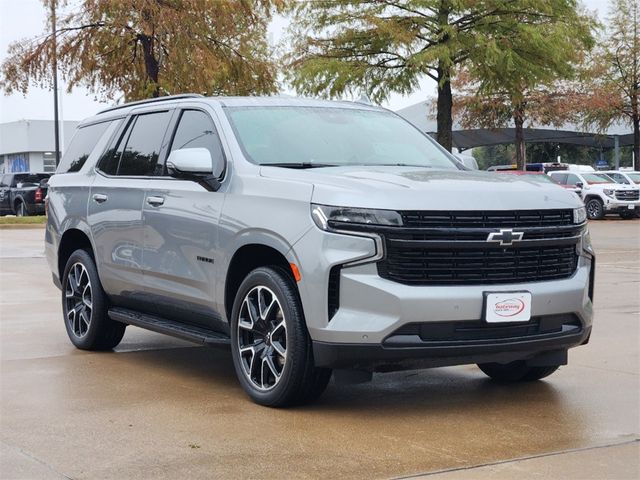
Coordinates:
<point>193,164</point>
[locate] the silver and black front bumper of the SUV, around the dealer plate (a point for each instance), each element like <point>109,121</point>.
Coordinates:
<point>361,332</point>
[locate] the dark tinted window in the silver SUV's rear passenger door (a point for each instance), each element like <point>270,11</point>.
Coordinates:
<point>143,146</point>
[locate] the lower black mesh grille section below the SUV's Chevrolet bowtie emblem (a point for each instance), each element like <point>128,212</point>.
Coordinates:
<point>474,266</point>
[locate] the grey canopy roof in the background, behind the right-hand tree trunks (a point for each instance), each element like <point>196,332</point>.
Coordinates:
<point>418,114</point>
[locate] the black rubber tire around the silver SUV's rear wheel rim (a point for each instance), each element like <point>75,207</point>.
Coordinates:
<point>98,300</point>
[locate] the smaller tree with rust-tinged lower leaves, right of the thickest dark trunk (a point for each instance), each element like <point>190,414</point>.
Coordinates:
<point>529,76</point>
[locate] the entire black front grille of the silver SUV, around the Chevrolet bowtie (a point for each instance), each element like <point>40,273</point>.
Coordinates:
<point>451,248</point>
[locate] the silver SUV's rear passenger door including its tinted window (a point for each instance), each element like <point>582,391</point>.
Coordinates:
<point>116,203</point>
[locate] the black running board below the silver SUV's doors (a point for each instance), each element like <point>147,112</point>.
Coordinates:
<point>169,327</point>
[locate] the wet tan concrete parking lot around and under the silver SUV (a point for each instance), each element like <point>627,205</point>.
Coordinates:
<point>162,408</point>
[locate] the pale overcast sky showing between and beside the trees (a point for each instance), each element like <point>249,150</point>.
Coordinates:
<point>26,18</point>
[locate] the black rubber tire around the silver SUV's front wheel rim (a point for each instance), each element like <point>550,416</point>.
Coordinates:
<point>278,283</point>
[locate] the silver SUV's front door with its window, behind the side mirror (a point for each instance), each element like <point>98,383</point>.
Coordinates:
<point>181,230</point>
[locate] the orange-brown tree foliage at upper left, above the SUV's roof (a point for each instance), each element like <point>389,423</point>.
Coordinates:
<point>147,48</point>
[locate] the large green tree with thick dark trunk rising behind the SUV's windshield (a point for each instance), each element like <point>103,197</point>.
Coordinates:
<point>384,46</point>
